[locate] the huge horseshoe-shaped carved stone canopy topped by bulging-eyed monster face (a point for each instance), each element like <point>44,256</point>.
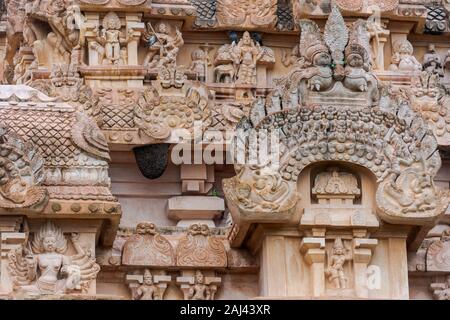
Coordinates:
<point>383,135</point>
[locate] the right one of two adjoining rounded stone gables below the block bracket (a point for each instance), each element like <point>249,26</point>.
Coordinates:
<point>201,249</point>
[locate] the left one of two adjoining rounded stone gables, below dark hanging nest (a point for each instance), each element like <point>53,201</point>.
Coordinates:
<point>147,248</point>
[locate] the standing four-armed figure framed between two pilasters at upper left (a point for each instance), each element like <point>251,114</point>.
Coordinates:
<point>110,39</point>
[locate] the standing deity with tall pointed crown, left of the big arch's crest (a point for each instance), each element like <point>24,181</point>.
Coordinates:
<point>246,54</point>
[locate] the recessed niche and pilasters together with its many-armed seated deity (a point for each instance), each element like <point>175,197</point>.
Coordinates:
<point>54,258</point>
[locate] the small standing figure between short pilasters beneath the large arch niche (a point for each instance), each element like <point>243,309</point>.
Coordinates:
<point>336,261</point>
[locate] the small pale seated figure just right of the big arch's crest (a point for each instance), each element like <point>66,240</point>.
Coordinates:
<point>403,58</point>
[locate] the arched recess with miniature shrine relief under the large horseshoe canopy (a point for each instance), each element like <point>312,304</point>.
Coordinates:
<point>337,194</point>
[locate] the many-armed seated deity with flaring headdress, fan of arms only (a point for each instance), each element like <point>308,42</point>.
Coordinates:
<point>45,269</point>
